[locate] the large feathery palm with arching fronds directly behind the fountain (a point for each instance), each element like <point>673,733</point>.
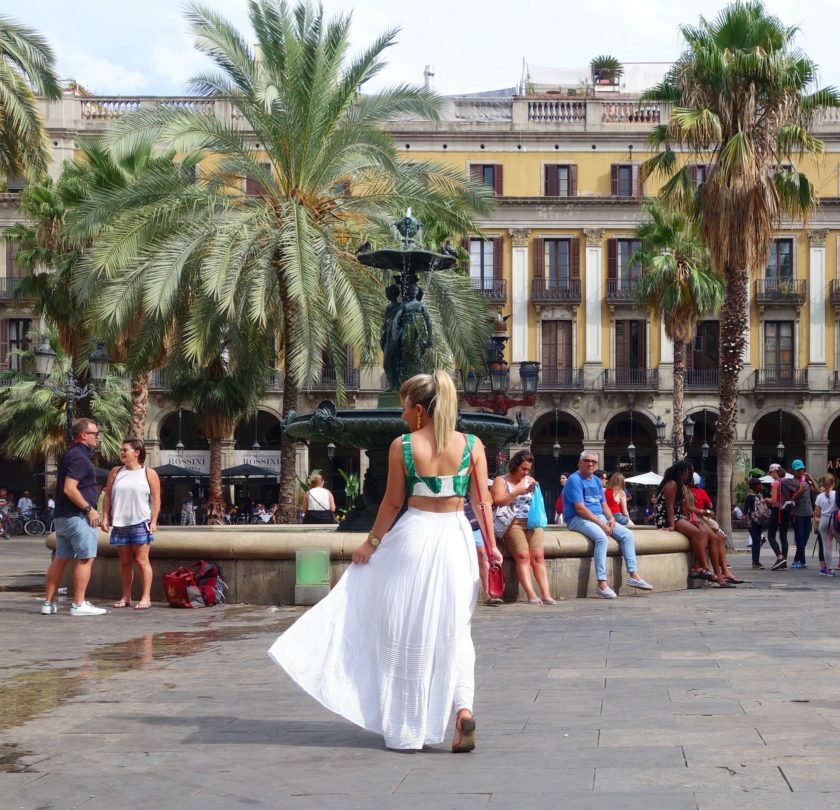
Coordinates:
<point>271,225</point>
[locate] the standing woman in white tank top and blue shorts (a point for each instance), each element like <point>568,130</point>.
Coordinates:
<point>130,512</point>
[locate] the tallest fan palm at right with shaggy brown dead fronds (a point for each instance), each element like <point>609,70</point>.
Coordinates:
<point>743,103</point>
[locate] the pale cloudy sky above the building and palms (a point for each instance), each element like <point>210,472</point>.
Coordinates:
<point>143,47</point>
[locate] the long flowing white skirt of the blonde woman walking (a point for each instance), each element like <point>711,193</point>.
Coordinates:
<point>390,648</point>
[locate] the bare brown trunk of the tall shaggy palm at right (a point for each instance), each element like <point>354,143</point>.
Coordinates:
<point>733,326</point>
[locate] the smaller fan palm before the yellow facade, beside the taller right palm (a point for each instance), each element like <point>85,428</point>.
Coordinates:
<point>679,283</point>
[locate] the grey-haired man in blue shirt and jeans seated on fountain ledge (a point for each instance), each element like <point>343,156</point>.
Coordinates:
<point>585,510</point>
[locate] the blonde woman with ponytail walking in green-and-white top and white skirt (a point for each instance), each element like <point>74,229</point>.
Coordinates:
<point>390,648</point>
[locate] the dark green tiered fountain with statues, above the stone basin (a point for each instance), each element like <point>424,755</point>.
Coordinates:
<point>407,334</point>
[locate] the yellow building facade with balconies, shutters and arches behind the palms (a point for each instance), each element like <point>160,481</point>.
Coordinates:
<point>553,257</point>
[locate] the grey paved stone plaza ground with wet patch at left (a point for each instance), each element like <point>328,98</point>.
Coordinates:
<point>695,699</point>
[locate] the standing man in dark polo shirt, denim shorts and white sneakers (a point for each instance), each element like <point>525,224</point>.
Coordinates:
<point>76,520</point>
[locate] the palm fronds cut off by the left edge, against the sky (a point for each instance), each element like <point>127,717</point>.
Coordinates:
<point>27,68</point>
